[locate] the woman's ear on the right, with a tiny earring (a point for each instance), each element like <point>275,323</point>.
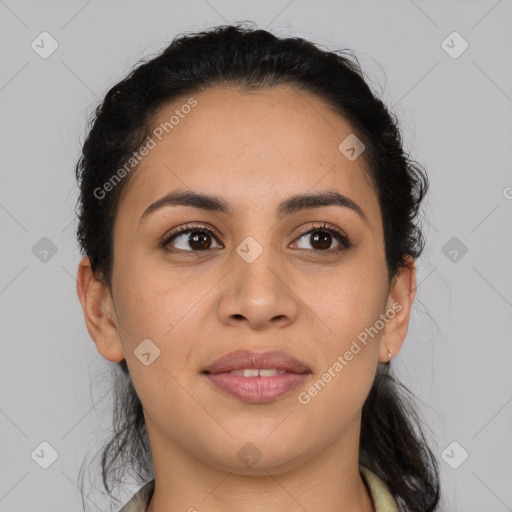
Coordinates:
<point>398,309</point>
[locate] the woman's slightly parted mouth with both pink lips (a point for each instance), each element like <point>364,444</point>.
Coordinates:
<point>257,378</point>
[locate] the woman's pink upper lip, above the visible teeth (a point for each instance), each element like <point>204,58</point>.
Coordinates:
<point>242,359</point>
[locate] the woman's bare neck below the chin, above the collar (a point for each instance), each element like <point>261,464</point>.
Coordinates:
<point>328,480</point>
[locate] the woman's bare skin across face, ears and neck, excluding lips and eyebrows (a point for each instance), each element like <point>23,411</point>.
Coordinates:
<point>254,150</point>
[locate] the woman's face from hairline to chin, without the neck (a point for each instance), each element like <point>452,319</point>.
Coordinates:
<point>256,278</point>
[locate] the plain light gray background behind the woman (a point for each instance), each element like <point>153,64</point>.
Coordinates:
<point>455,115</point>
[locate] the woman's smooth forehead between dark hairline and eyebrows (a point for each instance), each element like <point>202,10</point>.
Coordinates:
<point>249,147</point>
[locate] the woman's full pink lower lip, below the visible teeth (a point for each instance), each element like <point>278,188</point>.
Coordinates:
<point>257,390</point>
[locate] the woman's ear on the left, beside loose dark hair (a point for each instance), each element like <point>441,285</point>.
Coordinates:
<point>99,312</point>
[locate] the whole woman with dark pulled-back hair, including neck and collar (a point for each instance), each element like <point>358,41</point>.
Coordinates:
<point>248,219</point>
